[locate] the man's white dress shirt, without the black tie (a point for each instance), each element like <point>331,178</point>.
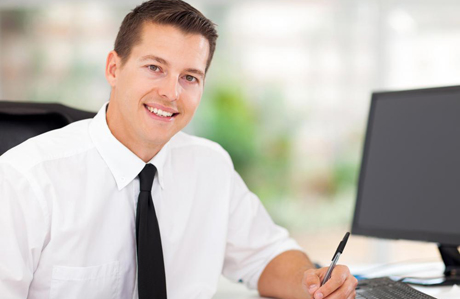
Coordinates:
<point>67,217</point>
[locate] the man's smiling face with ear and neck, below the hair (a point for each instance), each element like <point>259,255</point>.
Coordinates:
<point>156,92</point>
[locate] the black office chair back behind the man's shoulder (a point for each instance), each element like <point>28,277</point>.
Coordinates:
<point>20,121</point>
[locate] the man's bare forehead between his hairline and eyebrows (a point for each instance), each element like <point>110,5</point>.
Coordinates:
<point>178,48</point>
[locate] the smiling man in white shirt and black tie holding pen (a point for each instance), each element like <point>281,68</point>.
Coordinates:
<point>80,216</point>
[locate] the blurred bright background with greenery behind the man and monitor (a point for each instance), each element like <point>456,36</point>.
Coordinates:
<point>287,94</point>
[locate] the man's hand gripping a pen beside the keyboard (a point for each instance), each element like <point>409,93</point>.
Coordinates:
<point>341,285</point>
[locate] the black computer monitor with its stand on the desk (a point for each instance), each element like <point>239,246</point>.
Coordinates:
<point>409,183</point>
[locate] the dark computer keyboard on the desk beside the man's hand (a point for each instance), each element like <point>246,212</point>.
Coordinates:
<point>386,288</point>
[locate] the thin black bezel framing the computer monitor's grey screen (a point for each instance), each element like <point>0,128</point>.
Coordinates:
<point>356,229</point>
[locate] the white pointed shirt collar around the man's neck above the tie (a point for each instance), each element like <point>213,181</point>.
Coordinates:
<point>124,164</point>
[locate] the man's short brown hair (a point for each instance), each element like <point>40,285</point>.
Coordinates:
<point>165,12</point>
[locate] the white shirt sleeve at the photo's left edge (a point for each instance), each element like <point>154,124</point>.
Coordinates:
<point>22,233</point>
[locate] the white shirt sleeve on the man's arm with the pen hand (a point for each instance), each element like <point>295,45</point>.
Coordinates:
<point>253,238</point>
